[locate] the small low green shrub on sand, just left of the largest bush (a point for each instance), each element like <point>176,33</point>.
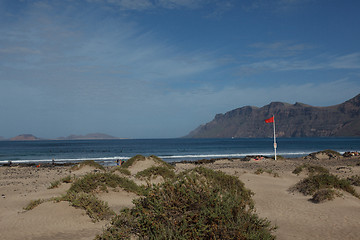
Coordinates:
<point>95,208</point>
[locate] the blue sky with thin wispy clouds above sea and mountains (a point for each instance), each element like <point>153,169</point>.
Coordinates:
<point>161,68</point>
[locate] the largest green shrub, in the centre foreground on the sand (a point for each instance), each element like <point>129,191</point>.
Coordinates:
<point>198,204</point>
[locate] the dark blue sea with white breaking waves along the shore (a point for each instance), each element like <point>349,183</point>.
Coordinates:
<point>170,150</point>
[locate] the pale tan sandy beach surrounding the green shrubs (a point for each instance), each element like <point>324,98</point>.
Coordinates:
<point>295,216</point>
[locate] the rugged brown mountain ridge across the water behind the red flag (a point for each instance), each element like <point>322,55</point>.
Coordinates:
<point>292,120</point>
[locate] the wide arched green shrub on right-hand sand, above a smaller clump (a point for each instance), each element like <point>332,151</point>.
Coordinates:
<point>311,184</point>
